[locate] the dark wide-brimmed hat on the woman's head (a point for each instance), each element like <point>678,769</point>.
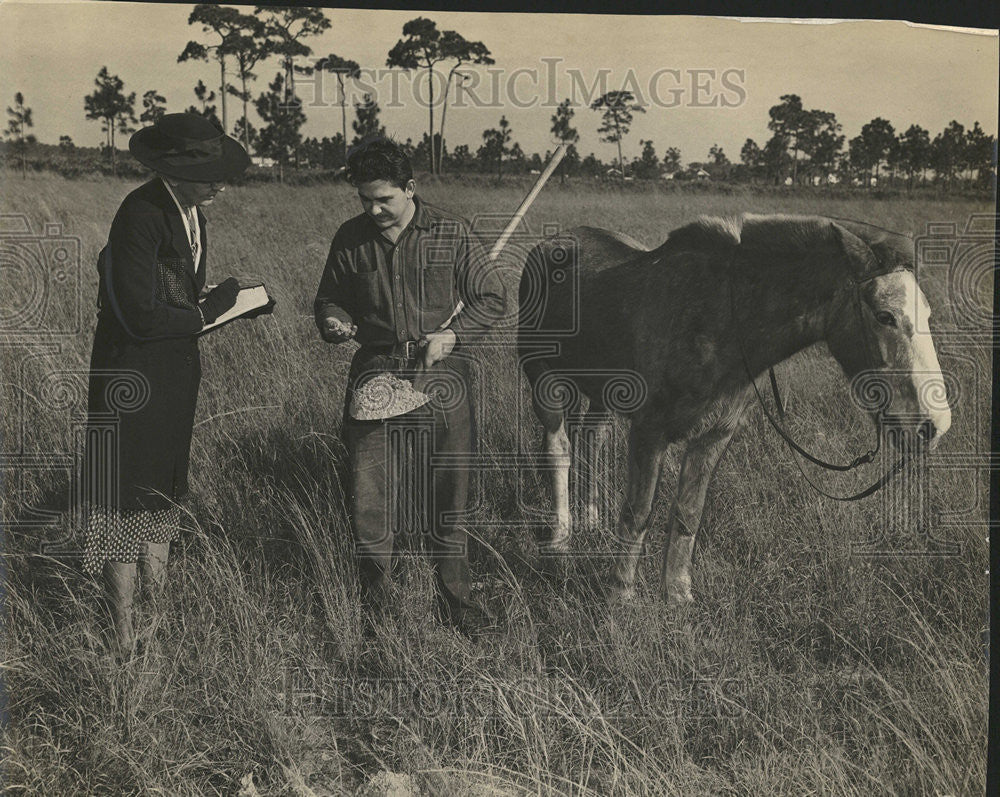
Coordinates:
<point>186,146</point>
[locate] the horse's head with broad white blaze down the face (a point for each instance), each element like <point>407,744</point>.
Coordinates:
<point>878,331</point>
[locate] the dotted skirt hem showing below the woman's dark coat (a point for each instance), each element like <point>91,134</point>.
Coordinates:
<point>121,536</point>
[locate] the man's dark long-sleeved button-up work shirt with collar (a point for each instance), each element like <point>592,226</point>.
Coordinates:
<point>401,291</point>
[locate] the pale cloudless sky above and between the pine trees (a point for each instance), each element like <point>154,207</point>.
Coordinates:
<point>702,80</point>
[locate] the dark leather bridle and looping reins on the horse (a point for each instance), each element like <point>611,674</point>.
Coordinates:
<point>856,282</point>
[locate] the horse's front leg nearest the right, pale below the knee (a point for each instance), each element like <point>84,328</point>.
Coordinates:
<point>700,460</point>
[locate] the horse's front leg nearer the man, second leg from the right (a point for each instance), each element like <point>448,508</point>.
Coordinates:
<point>645,454</point>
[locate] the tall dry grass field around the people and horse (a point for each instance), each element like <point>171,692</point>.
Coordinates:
<point>800,669</point>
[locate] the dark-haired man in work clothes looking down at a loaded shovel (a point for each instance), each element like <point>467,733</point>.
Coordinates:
<point>394,277</point>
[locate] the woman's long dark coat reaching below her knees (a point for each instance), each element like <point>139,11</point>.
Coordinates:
<point>145,366</point>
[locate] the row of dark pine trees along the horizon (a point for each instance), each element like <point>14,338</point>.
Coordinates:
<point>806,146</point>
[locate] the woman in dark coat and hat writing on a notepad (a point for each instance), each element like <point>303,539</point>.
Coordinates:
<point>145,368</point>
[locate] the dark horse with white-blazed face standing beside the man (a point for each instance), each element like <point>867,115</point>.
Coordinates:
<point>689,325</point>
